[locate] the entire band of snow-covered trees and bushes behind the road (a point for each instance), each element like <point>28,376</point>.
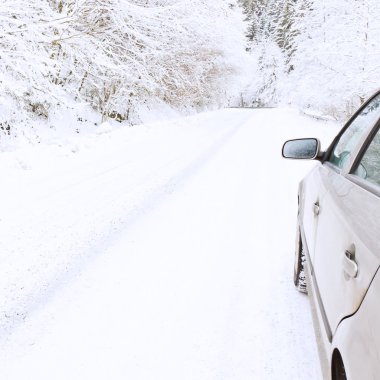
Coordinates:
<point>74,64</point>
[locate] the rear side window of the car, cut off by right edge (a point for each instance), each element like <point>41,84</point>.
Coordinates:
<point>369,166</point>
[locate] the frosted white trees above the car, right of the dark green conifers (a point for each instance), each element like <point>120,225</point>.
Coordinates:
<point>336,64</point>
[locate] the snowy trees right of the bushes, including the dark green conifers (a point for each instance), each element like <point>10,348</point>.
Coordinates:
<point>321,56</point>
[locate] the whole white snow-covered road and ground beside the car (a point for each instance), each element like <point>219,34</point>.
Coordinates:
<point>162,251</point>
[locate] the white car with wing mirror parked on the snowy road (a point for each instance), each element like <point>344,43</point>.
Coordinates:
<point>337,255</point>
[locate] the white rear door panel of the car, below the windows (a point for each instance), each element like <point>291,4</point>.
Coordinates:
<point>342,226</point>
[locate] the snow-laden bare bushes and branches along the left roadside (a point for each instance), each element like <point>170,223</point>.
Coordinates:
<point>115,55</point>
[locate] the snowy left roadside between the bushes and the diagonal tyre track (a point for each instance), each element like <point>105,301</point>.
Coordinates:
<point>63,203</point>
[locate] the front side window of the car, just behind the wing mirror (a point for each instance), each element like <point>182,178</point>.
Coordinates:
<point>356,130</point>
